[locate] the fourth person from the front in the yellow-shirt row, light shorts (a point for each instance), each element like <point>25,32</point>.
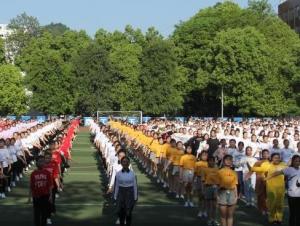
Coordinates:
<point>186,175</point>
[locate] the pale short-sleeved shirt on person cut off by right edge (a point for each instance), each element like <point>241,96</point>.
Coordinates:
<point>293,180</point>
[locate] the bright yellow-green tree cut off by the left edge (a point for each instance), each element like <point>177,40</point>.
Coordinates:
<point>12,91</point>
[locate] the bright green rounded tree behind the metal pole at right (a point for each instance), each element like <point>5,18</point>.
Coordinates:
<point>240,62</point>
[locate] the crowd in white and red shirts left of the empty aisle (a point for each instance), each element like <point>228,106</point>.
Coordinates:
<point>48,144</point>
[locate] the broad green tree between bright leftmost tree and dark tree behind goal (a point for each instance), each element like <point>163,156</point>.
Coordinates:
<point>47,61</point>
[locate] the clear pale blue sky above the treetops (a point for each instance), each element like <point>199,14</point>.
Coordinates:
<point>90,15</point>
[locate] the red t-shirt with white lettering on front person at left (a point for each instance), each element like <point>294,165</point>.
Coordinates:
<point>40,183</point>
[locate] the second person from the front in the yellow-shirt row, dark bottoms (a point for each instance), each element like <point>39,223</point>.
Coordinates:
<point>210,179</point>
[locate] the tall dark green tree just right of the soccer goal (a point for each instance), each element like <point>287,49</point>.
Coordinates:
<point>160,79</point>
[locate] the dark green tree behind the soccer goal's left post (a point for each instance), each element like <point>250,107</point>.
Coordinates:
<point>93,78</point>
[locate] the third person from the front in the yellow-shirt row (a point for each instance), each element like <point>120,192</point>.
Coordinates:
<point>199,166</point>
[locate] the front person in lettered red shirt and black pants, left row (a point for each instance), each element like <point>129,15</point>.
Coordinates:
<point>41,185</point>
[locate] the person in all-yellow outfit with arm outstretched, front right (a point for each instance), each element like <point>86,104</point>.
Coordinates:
<point>275,187</point>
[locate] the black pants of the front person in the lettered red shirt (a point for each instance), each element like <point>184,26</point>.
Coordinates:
<point>41,206</point>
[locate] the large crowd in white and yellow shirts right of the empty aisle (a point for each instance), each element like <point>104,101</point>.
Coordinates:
<point>217,162</point>
